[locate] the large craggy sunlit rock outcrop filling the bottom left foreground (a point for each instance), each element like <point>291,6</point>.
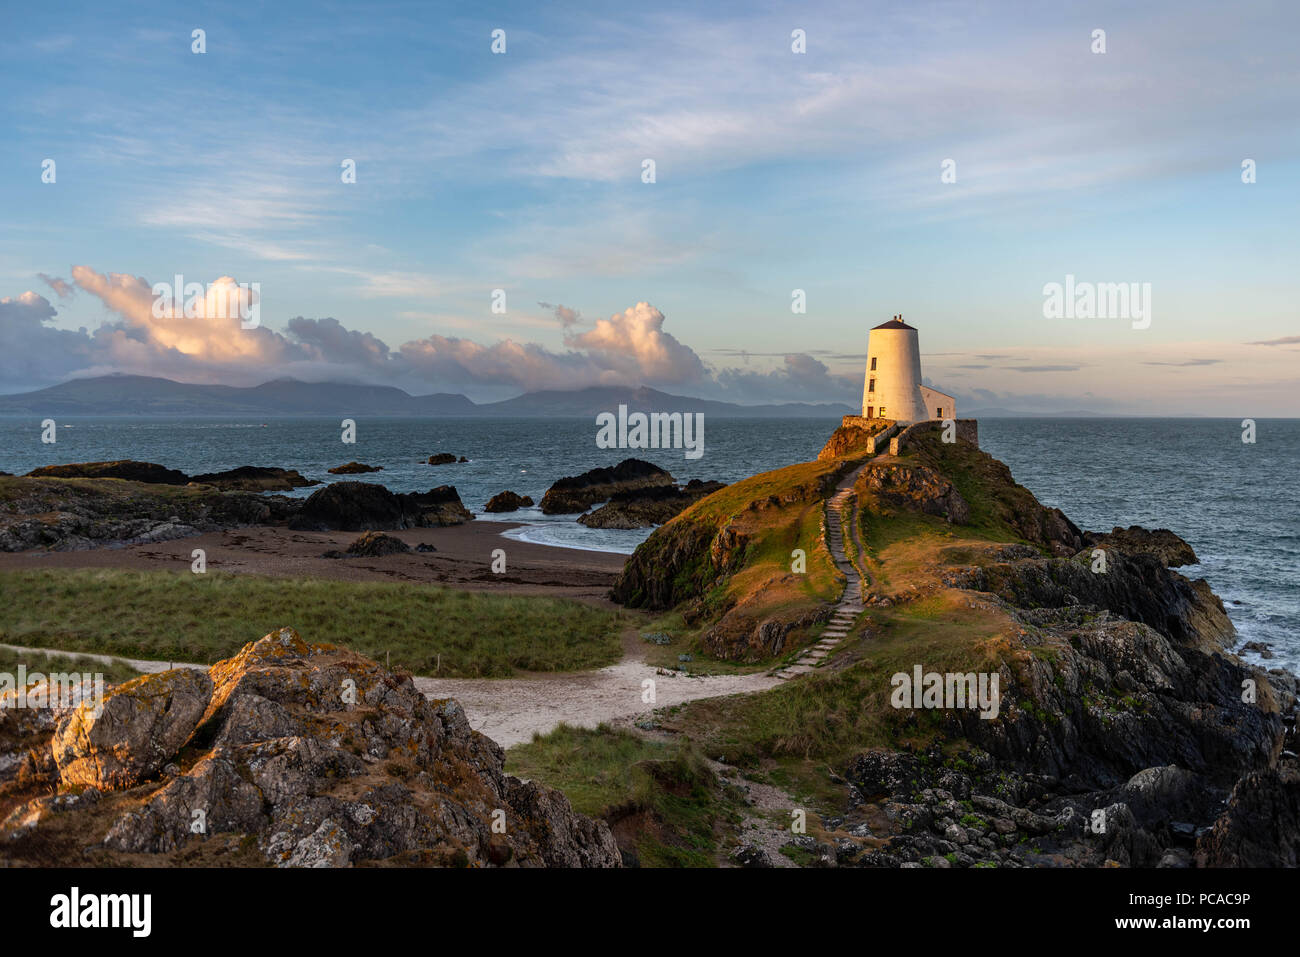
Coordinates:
<point>305,756</point>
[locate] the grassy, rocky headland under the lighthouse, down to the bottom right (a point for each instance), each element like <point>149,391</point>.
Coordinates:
<point>1125,730</point>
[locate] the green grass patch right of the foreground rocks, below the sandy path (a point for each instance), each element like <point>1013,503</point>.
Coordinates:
<point>665,794</point>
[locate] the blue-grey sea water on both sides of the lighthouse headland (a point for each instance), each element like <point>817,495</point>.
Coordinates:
<point>1236,504</point>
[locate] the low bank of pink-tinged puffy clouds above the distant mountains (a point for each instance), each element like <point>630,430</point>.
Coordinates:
<point>201,339</point>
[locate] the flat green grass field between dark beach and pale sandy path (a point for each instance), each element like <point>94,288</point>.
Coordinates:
<point>203,618</point>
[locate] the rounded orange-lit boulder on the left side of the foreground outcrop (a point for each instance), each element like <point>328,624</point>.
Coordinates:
<point>140,728</point>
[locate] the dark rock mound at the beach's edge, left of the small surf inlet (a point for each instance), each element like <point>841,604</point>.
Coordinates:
<point>367,508</point>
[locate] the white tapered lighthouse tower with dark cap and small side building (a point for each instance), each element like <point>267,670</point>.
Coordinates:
<point>892,388</point>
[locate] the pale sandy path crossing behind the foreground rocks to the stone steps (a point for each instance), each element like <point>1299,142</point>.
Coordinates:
<point>513,711</point>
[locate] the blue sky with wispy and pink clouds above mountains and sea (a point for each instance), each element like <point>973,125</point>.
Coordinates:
<point>775,171</point>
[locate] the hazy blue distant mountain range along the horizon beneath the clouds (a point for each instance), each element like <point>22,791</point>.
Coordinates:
<point>123,395</point>
